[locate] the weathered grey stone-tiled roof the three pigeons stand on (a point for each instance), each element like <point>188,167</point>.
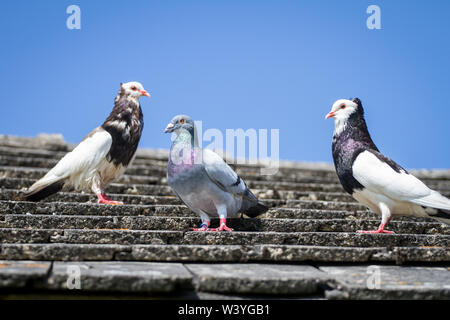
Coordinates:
<point>304,246</point>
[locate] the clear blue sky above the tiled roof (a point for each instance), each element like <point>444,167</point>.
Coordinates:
<point>234,64</point>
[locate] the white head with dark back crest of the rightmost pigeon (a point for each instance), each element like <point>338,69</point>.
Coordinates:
<point>342,110</point>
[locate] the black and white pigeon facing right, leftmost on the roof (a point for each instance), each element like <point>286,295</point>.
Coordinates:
<point>102,155</point>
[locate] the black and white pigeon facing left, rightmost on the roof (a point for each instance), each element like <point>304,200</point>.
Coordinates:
<point>372,178</point>
